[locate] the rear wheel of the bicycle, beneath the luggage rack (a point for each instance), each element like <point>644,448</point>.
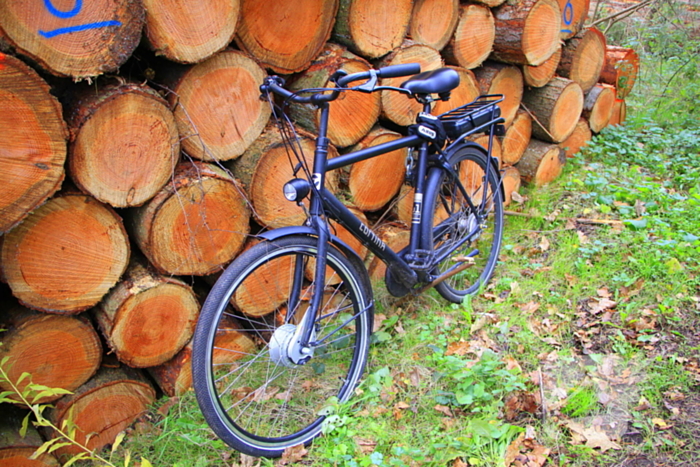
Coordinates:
<point>451,219</point>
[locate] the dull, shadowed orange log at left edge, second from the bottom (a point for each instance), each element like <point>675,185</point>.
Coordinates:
<point>57,351</point>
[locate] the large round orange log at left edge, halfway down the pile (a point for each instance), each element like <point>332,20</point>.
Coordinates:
<point>66,255</point>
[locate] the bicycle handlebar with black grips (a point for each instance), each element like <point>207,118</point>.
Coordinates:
<point>342,79</point>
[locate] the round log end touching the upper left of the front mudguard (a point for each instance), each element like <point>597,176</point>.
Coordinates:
<point>196,224</point>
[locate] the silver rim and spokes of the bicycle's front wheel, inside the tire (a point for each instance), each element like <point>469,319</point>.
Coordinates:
<point>264,398</point>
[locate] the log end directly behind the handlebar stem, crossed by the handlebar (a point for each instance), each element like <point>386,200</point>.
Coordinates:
<point>353,114</point>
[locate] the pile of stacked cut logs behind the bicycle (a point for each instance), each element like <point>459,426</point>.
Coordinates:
<point>131,173</point>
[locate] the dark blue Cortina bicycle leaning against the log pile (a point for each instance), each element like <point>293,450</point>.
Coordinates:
<point>313,297</point>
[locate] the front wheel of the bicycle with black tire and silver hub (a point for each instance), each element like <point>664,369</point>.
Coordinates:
<point>258,401</point>
